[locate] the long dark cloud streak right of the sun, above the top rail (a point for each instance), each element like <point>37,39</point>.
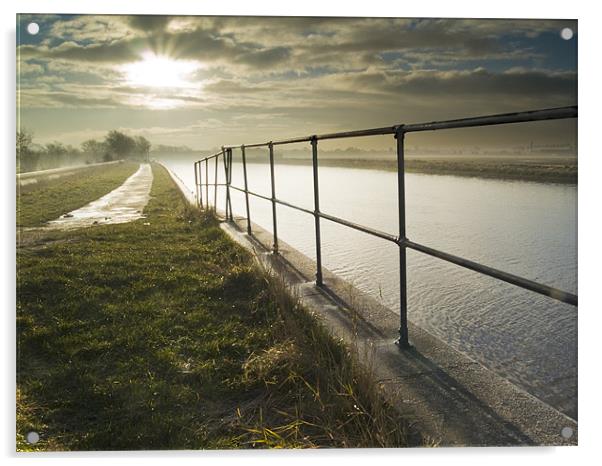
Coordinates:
<point>424,85</point>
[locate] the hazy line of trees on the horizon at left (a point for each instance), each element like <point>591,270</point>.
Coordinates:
<point>115,146</point>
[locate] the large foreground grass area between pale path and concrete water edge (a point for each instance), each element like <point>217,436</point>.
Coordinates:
<point>163,334</point>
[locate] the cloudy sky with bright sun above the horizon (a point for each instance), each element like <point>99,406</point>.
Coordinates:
<point>205,82</point>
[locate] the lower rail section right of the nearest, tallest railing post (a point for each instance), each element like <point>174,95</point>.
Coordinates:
<point>559,295</point>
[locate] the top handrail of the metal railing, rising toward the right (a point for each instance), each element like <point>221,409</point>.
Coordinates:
<point>487,120</point>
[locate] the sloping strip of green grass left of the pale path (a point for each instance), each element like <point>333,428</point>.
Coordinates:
<point>46,200</point>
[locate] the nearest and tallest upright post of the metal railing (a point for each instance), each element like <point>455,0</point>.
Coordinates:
<point>403,341</point>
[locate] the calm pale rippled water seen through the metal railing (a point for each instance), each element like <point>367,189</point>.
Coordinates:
<point>525,228</point>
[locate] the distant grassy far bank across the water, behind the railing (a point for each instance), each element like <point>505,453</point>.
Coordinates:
<point>545,170</point>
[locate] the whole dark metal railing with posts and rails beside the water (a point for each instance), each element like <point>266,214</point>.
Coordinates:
<point>399,132</point>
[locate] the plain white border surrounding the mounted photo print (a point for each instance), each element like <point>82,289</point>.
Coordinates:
<point>590,177</point>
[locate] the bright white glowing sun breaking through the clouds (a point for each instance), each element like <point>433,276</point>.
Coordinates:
<point>159,71</point>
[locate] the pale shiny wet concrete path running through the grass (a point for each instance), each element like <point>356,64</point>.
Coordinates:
<point>123,204</point>
